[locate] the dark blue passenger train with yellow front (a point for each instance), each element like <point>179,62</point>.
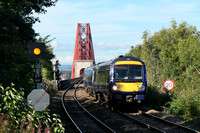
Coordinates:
<point>120,80</point>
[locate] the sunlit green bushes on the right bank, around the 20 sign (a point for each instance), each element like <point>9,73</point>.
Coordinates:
<point>173,53</point>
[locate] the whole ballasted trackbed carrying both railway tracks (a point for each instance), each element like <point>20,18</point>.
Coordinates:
<point>84,121</point>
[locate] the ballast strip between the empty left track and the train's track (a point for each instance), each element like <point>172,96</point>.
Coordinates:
<point>111,118</point>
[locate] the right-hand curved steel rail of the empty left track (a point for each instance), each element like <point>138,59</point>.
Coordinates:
<point>108,129</point>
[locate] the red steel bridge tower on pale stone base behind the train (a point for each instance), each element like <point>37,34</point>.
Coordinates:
<point>83,51</point>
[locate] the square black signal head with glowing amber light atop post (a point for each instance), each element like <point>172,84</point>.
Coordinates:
<point>36,51</point>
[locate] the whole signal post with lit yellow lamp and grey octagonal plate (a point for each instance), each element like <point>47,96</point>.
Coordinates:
<point>38,98</point>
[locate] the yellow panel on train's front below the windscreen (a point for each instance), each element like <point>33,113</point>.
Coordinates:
<point>129,87</point>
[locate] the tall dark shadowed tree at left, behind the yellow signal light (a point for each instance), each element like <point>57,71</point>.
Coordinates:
<point>16,32</point>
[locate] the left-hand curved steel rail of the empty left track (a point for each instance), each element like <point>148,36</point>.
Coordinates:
<point>62,100</point>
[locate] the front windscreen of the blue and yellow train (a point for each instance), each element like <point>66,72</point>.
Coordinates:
<point>128,73</point>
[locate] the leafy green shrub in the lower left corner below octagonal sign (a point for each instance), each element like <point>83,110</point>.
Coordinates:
<point>16,116</point>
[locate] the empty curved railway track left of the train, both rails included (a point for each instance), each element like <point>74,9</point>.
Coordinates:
<point>83,120</point>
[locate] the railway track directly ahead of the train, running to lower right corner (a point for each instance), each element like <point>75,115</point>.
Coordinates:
<point>157,124</point>
